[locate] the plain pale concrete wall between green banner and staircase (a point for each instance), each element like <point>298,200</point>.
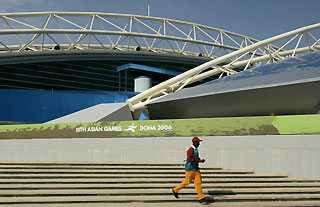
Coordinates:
<point>295,155</point>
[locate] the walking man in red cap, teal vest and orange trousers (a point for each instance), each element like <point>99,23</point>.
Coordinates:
<point>192,171</point>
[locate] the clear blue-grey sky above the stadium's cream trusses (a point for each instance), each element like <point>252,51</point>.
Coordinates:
<point>259,19</point>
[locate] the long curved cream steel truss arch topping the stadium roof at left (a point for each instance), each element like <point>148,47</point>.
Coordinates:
<point>43,31</point>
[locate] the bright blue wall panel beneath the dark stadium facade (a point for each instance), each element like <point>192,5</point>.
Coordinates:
<point>41,106</point>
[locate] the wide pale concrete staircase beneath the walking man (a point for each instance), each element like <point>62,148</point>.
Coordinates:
<point>145,184</point>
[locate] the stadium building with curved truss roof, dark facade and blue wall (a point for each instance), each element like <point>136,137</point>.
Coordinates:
<point>53,63</point>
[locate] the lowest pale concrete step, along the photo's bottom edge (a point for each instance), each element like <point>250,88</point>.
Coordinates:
<point>155,199</point>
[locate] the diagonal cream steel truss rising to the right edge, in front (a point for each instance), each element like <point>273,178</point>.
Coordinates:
<point>302,40</point>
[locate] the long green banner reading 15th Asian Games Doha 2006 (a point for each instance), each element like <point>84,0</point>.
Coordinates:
<point>268,125</point>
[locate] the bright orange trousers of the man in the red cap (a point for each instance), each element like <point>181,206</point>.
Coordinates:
<point>194,176</point>
